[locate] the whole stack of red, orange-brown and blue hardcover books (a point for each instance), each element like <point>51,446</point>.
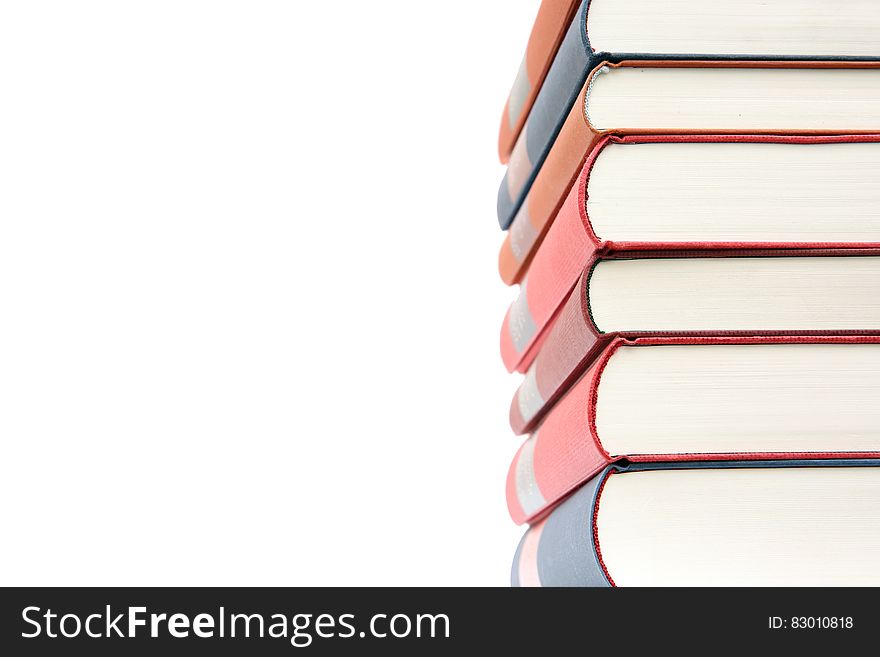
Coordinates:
<point>692,207</point>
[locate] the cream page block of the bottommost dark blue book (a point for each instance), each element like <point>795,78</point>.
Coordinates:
<point>746,527</point>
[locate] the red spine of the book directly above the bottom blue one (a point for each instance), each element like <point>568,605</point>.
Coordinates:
<point>562,453</point>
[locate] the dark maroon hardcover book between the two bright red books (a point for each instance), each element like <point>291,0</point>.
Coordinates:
<point>632,296</point>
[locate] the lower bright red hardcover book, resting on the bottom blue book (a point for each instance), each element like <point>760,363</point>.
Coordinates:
<point>683,399</point>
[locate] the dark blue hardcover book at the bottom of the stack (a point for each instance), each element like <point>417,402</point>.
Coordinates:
<point>783,523</point>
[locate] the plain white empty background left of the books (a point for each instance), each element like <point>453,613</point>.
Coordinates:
<point>249,307</point>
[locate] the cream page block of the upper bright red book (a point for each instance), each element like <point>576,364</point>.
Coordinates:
<point>736,192</point>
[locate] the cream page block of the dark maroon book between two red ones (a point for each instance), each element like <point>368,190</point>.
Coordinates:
<point>736,294</point>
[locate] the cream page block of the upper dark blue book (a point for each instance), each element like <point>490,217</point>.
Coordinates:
<point>736,27</point>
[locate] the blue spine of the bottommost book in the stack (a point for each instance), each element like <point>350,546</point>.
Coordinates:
<point>561,550</point>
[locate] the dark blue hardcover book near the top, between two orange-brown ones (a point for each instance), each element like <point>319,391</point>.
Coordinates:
<point>611,31</point>
